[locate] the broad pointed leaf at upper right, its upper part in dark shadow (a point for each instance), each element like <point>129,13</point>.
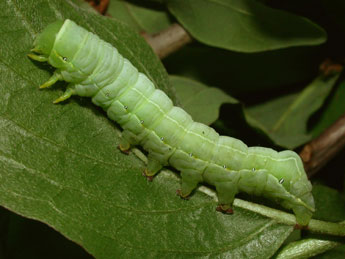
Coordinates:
<point>244,26</point>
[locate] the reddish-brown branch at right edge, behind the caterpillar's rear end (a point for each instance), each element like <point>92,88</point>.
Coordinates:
<point>319,151</point>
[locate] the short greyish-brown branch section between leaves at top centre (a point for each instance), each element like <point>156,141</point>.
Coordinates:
<point>168,41</point>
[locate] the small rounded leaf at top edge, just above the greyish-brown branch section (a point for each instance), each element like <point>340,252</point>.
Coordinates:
<point>140,18</point>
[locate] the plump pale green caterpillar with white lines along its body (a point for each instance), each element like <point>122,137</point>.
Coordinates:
<point>96,69</point>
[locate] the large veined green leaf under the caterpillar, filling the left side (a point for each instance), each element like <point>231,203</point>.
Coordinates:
<point>59,163</point>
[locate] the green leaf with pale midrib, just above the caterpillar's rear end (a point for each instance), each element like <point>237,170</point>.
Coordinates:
<point>285,119</point>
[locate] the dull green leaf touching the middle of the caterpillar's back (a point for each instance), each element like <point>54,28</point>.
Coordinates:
<point>201,102</point>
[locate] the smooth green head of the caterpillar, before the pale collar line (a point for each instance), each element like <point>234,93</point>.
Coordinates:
<point>44,42</point>
